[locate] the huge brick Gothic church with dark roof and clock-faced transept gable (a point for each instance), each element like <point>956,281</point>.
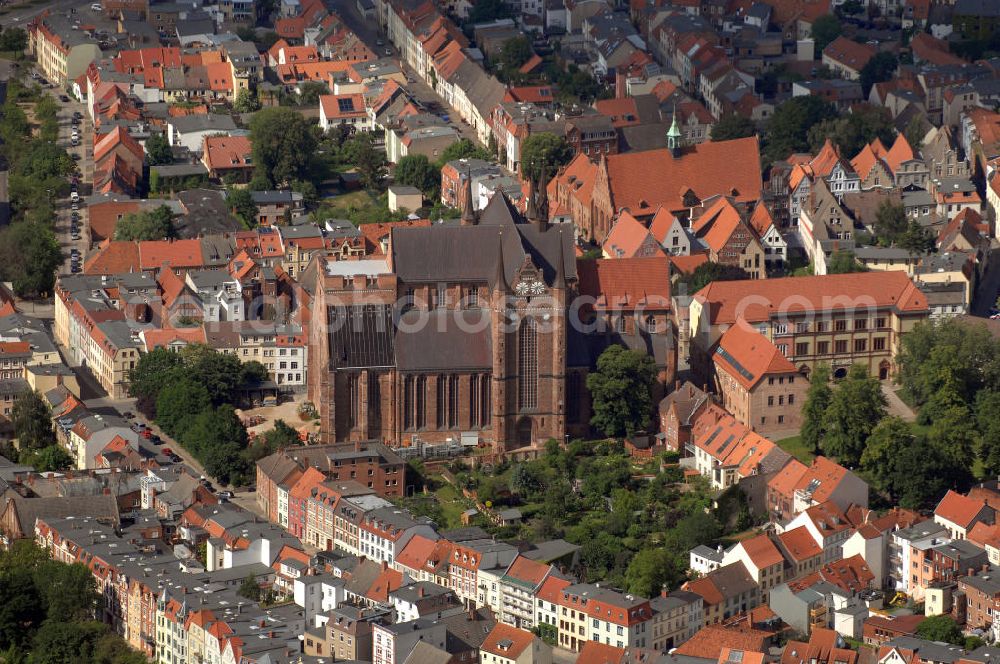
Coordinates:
<point>462,332</point>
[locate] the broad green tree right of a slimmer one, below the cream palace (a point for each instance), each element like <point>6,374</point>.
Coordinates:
<point>858,404</point>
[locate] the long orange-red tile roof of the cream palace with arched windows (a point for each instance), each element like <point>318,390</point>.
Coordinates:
<point>758,300</point>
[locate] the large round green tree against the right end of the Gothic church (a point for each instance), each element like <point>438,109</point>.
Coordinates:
<point>621,391</point>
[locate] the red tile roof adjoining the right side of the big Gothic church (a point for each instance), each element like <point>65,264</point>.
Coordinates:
<point>626,283</point>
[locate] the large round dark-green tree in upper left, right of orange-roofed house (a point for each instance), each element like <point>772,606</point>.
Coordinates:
<point>283,144</point>
